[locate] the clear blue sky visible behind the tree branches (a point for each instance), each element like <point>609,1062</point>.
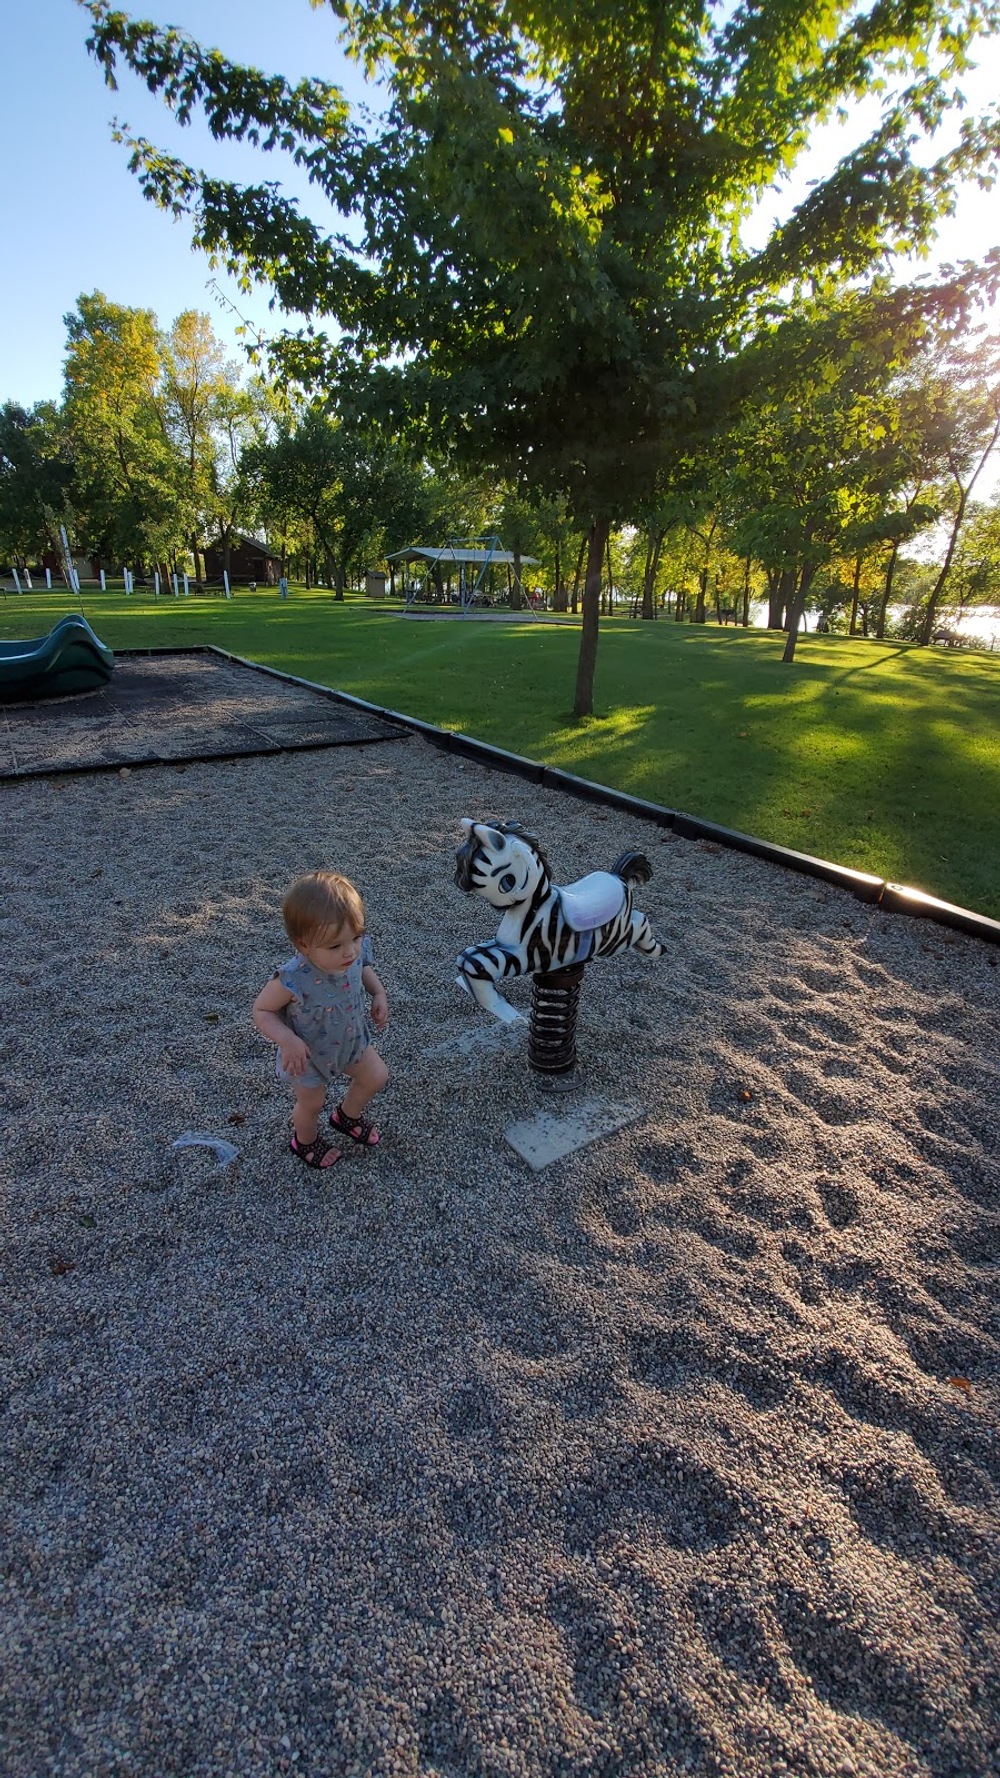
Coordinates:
<point>74,220</point>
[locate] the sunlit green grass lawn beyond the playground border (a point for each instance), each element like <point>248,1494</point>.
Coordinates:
<point>880,757</point>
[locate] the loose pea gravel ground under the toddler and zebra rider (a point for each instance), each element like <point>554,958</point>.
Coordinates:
<point>679,1457</point>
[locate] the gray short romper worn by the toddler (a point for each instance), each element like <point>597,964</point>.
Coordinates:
<point>330,1013</point>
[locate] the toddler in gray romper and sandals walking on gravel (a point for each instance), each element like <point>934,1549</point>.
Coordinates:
<point>314,1009</point>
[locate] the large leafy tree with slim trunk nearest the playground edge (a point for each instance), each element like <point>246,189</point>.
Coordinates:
<point>544,262</point>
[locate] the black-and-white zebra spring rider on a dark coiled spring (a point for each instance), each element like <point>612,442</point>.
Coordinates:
<point>545,931</point>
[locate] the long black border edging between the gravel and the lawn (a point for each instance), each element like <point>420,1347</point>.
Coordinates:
<point>878,892</point>
